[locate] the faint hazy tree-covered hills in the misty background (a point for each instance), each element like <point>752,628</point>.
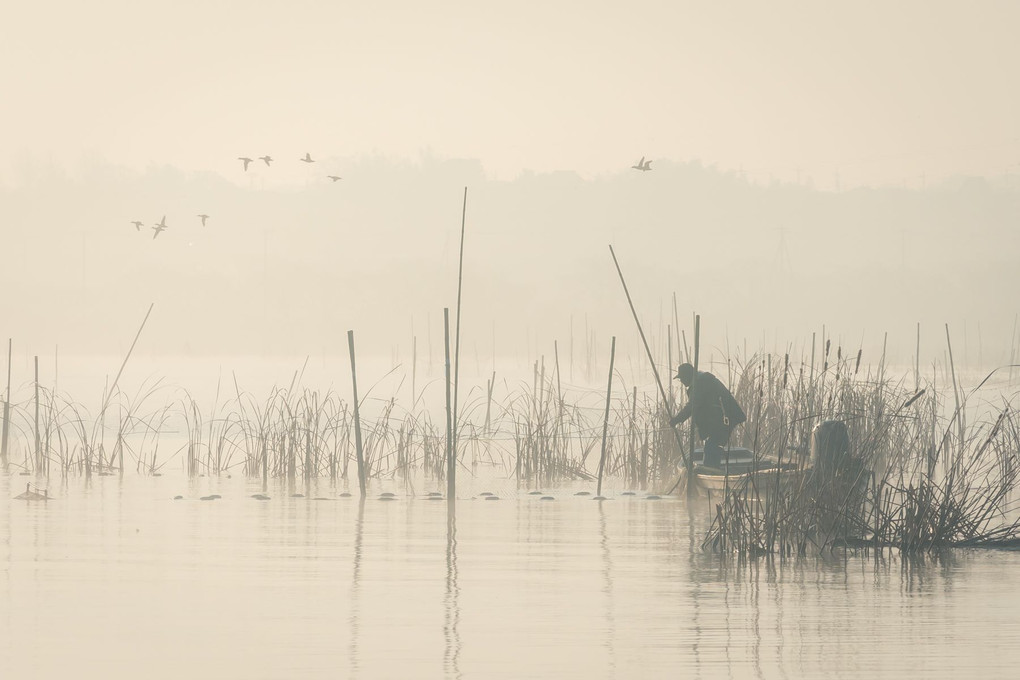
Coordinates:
<point>290,268</point>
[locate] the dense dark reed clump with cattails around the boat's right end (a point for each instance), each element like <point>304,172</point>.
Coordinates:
<point>915,475</point>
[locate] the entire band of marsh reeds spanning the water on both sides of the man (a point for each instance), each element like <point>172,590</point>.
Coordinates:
<point>927,473</point>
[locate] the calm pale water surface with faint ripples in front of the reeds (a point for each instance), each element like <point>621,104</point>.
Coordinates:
<point>116,580</point>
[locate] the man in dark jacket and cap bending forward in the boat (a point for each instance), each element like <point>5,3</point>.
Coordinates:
<point>713,408</point>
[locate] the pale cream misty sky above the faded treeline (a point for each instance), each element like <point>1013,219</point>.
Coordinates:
<point>864,93</point>
